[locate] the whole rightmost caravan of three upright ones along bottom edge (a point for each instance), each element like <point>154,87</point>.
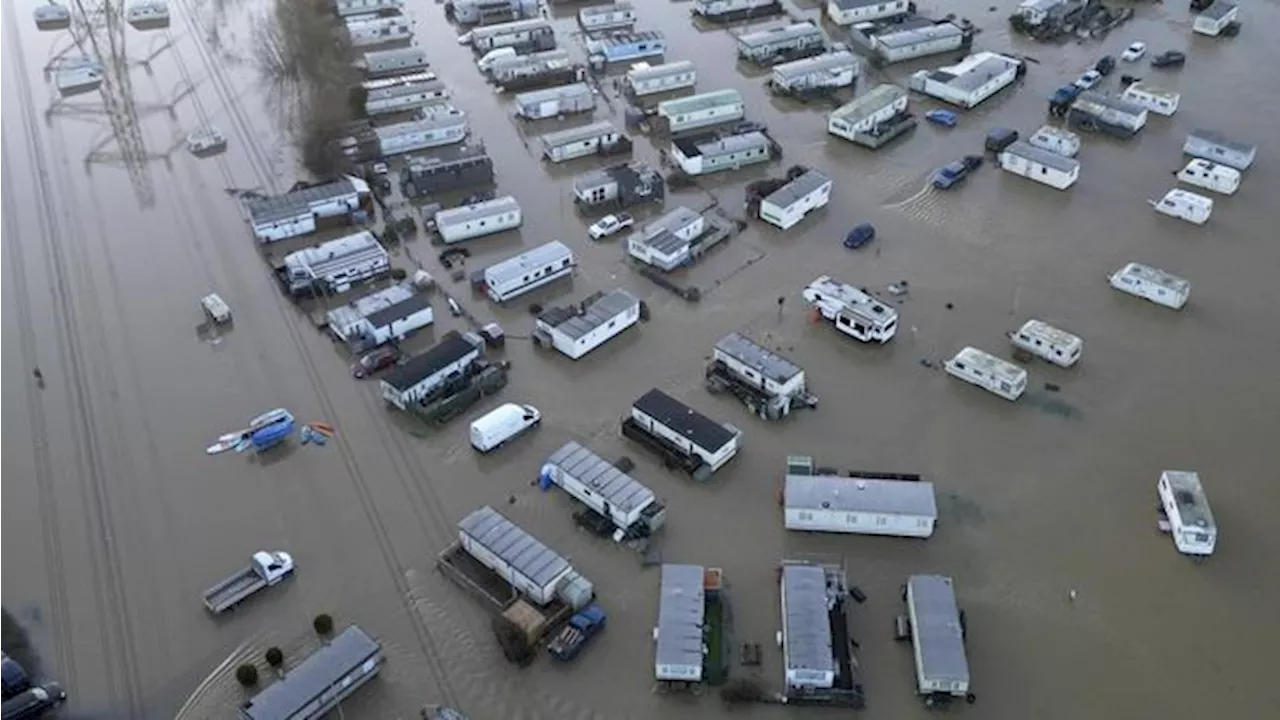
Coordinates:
<point>938,639</point>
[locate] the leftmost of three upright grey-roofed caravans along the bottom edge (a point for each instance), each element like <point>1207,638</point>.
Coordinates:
<point>680,635</point>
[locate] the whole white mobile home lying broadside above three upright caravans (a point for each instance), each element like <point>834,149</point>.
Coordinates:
<point>867,507</point>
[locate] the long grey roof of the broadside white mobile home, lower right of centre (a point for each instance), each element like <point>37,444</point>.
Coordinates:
<point>861,495</point>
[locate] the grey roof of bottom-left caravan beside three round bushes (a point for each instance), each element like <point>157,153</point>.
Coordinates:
<point>312,677</point>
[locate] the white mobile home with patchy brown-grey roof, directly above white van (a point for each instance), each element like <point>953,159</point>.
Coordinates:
<point>580,329</point>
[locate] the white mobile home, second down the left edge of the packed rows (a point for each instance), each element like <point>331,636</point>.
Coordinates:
<point>335,267</point>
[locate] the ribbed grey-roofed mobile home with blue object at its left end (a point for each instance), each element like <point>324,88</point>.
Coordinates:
<point>633,508</point>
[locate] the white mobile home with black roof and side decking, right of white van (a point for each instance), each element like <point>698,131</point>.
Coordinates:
<point>682,436</point>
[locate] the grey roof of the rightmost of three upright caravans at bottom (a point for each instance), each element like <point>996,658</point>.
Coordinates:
<point>938,628</point>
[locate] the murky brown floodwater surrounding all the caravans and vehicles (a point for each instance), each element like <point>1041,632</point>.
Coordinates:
<point>115,521</point>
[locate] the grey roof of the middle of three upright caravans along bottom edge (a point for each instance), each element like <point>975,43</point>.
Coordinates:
<point>807,621</point>
